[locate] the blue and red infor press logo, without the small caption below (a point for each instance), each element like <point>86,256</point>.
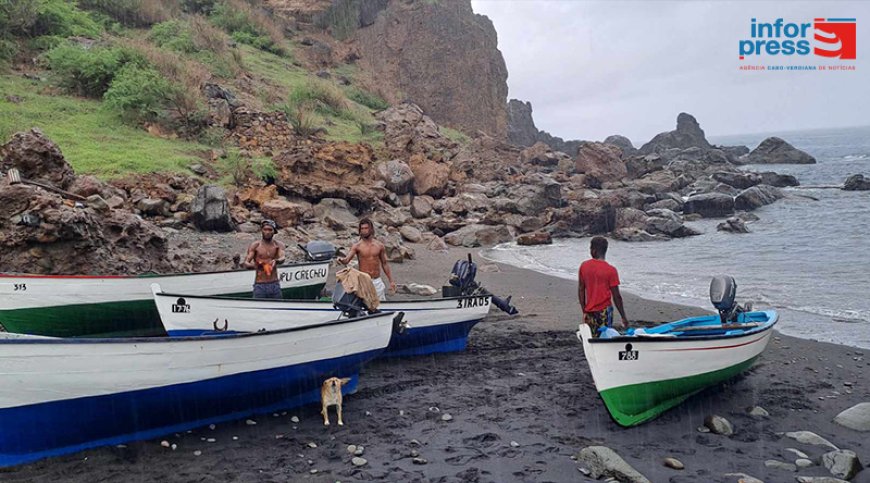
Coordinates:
<point>832,38</point>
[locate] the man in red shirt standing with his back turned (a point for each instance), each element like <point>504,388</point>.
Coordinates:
<point>598,284</point>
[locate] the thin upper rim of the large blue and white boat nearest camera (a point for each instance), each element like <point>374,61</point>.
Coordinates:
<point>186,338</point>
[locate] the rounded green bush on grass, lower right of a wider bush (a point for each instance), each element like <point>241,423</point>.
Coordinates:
<point>139,92</point>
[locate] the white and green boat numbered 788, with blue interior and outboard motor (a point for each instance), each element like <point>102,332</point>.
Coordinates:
<point>645,372</point>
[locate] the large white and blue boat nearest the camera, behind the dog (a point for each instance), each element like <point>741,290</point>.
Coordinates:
<point>62,395</point>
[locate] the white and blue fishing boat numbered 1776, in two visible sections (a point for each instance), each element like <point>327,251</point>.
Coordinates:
<point>434,325</point>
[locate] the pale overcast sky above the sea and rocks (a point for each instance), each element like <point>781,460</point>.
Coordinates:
<point>595,68</point>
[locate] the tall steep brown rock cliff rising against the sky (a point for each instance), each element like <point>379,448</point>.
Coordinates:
<point>439,55</point>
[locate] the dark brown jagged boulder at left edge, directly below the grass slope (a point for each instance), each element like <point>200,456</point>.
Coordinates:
<point>37,158</point>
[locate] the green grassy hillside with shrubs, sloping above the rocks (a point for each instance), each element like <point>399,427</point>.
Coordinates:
<point>132,63</point>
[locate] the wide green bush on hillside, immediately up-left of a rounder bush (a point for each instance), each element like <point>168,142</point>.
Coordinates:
<point>87,71</point>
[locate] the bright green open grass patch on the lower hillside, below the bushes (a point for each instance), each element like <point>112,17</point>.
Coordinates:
<point>92,138</point>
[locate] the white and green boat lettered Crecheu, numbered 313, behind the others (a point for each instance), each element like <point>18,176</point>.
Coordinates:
<point>98,306</point>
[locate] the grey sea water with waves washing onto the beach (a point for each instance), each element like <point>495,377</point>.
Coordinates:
<point>808,256</point>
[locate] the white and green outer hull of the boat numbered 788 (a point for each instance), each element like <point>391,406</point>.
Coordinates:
<point>640,378</point>
